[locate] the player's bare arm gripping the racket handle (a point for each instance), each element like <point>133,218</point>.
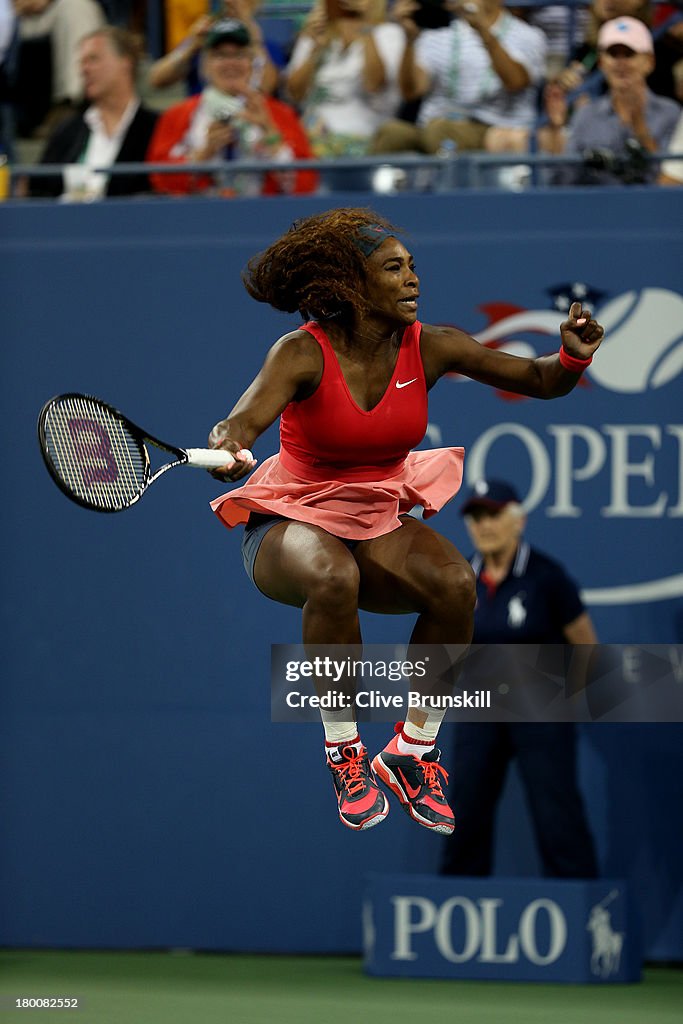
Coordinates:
<point>292,370</point>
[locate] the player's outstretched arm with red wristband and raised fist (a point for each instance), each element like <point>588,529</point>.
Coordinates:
<point>449,351</point>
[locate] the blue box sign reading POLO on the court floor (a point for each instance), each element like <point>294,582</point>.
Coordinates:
<point>500,929</point>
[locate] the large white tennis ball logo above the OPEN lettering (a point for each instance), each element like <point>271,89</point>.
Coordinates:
<point>644,347</point>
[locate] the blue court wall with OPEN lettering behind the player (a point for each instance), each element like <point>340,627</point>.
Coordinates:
<point>147,799</point>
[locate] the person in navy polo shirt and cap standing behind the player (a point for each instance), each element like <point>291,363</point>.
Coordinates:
<point>523,598</point>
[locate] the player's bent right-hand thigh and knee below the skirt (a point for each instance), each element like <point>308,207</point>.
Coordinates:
<point>398,570</point>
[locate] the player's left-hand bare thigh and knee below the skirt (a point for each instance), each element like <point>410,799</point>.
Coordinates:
<point>292,559</point>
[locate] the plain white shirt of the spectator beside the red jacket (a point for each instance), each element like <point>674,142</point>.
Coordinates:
<point>337,99</point>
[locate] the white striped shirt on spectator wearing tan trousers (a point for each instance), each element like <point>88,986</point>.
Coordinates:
<point>463,81</point>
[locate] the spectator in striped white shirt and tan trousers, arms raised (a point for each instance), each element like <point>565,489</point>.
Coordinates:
<point>477,79</point>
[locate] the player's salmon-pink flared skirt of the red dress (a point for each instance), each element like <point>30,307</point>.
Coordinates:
<point>358,510</point>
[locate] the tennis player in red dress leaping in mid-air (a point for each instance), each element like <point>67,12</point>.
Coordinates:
<point>327,520</point>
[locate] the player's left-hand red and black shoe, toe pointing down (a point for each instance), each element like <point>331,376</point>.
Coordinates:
<point>362,803</point>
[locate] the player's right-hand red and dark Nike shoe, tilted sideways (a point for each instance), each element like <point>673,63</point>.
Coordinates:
<point>416,783</point>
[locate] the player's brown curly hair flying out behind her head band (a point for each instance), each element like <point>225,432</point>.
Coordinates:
<point>318,268</point>
